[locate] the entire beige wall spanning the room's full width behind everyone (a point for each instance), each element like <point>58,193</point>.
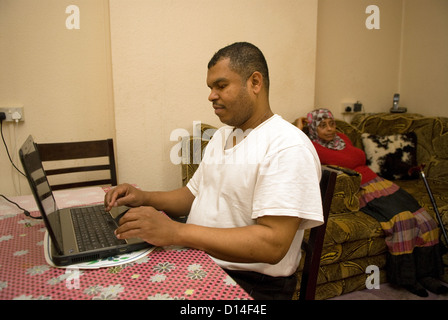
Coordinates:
<point>158,51</point>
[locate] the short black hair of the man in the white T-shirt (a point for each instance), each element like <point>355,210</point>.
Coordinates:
<point>245,59</point>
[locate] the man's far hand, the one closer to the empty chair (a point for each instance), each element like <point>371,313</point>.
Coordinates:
<point>124,195</point>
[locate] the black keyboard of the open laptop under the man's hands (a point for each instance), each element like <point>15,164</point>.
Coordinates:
<point>94,228</point>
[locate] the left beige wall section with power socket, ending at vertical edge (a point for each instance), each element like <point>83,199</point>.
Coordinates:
<point>61,77</point>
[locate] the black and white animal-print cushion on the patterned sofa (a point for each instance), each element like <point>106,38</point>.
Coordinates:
<point>391,156</point>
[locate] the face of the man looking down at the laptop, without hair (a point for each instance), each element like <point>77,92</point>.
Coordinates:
<point>229,94</point>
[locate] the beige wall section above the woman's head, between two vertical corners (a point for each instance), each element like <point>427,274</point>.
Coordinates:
<point>353,62</point>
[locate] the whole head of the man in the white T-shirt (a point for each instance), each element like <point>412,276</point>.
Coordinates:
<point>238,86</point>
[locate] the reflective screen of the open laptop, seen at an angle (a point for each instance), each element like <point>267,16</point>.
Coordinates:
<point>40,187</point>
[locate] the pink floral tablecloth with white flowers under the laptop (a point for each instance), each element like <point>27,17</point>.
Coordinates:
<point>165,273</point>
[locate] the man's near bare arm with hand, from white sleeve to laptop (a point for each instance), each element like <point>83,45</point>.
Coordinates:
<point>267,241</point>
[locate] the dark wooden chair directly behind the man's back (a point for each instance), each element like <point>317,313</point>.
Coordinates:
<point>313,246</point>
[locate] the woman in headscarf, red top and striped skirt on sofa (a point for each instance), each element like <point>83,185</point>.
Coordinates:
<point>412,236</point>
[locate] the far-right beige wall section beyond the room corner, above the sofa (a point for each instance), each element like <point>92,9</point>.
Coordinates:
<point>424,73</point>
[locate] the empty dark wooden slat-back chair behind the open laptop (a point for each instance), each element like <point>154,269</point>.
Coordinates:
<point>92,161</point>
